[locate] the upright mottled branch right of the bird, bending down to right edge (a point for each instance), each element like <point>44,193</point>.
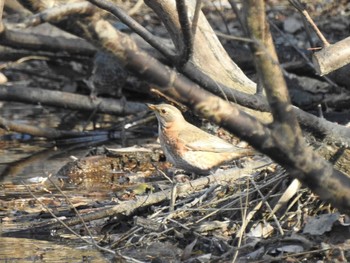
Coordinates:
<point>299,159</point>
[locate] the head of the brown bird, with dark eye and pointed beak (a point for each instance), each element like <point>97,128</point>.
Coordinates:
<point>166,114</point>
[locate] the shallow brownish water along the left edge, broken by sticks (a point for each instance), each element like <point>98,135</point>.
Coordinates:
<point>28,161</point>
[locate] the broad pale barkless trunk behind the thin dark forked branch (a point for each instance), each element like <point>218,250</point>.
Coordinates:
<point>206,47</point>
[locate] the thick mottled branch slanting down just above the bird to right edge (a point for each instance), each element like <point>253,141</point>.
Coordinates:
<point>330,184</point>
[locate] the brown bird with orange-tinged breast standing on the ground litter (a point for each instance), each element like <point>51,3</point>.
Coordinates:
<point>189,148</point>
